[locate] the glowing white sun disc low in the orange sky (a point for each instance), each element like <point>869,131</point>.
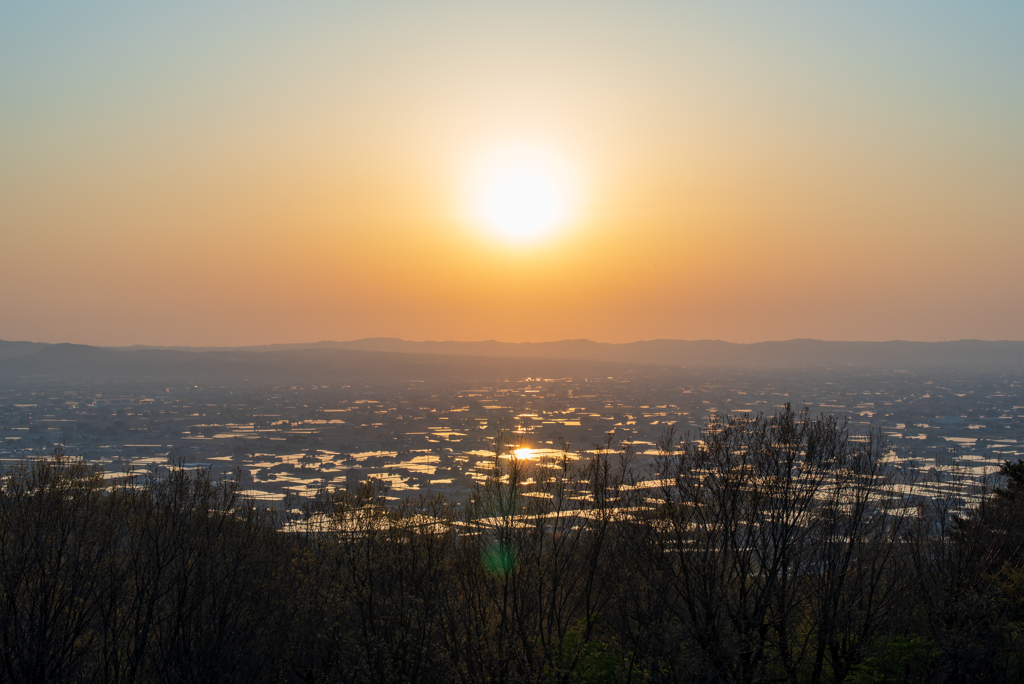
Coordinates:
<point>523,195</point>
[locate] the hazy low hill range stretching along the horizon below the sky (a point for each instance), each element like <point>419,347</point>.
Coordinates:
<point>395,360</point>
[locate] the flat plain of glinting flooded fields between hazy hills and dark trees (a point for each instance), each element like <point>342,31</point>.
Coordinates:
<point>436,437</point>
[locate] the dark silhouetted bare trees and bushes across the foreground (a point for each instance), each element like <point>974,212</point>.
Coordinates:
<point>773,549</point>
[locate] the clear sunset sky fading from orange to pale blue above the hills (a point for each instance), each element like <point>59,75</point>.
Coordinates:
<point>232,174</point>
